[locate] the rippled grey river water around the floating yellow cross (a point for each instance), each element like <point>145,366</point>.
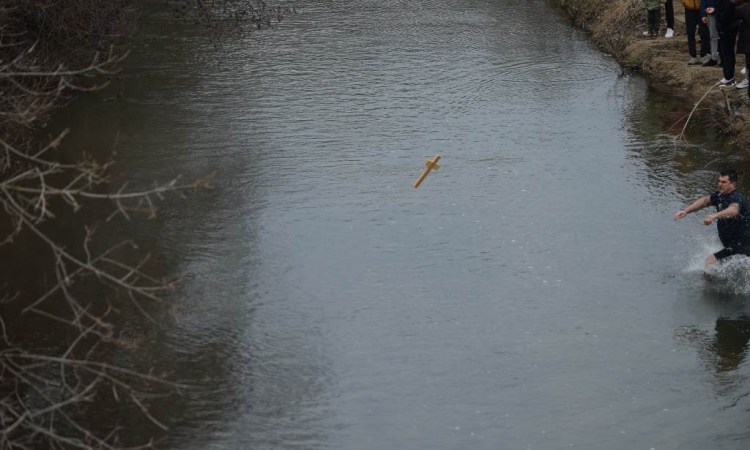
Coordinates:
<point>532,294</point>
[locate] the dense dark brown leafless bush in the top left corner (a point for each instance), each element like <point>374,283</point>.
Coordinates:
<point>49,47</point>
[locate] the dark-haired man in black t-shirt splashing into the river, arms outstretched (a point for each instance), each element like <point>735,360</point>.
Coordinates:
<point>732,217</point>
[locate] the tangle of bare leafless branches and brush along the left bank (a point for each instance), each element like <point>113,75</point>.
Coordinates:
<point>49,52</point>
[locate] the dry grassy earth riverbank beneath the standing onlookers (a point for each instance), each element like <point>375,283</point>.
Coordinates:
<point>617,28</point>
